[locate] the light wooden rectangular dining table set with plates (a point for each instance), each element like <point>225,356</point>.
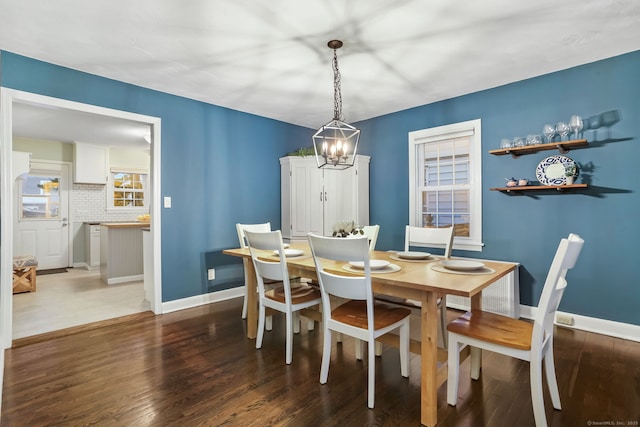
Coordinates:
<point>417,281</point>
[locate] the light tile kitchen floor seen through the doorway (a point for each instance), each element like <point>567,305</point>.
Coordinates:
<point>73,298</point>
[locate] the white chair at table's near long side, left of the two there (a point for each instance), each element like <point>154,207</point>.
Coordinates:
<point>282,298</point>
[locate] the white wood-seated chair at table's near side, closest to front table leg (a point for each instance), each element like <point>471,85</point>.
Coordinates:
<point>359,317</point>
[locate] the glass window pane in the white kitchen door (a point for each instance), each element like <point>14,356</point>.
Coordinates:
<point>40,197</point>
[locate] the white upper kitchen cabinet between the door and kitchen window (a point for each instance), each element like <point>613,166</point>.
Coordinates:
<point>90,163</point>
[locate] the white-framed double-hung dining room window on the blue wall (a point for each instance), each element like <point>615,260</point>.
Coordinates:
<point>445,181</point>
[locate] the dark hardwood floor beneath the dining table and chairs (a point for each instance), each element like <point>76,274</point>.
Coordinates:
<point>197,368</point>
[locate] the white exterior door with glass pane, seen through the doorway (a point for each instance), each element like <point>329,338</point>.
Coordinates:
<point>41,218</point>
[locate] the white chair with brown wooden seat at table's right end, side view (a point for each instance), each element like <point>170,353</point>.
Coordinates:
<point>532,342</point>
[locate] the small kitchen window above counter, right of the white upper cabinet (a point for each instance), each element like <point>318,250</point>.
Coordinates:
<point>128,190</point>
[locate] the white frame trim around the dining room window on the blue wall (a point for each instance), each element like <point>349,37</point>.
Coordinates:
<point>471,127</point>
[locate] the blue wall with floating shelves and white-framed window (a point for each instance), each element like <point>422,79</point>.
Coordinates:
<point>528,228</point>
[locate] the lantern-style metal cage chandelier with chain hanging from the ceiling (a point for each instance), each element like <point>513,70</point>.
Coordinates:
<point>336,142</point>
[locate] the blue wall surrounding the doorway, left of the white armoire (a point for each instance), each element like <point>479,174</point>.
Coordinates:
<point>219,166</point>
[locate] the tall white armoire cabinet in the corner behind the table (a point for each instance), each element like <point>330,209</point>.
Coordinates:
<point>314,199</point>
